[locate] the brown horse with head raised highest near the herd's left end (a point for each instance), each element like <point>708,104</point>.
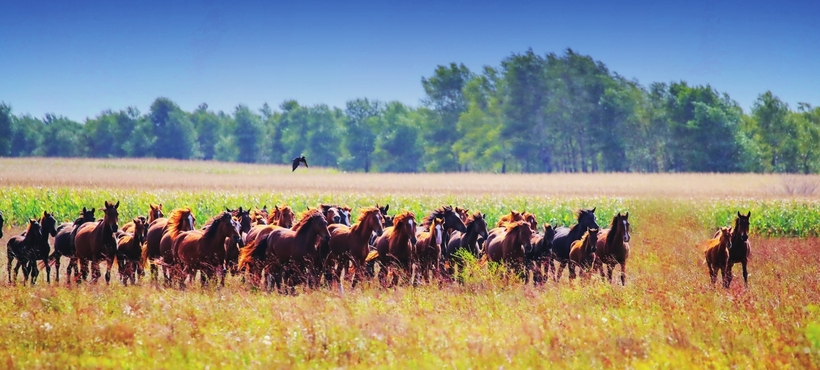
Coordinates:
<point>95,242</point>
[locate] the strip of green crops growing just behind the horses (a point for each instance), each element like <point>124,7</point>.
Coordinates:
<point>771,217</point>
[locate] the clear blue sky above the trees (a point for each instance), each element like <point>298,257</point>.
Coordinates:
<point>77,58</point>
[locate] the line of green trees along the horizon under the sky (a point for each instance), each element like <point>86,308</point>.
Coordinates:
<point>532,113</point>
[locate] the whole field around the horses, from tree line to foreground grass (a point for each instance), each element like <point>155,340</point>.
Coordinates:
<point>667,316</point>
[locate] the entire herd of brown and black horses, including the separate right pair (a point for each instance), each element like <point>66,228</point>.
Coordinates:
<point>278,248</point>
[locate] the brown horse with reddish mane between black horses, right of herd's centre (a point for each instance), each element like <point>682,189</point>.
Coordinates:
<point>509,244</point>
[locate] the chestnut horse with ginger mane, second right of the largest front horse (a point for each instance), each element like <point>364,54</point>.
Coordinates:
<point>395,248</point>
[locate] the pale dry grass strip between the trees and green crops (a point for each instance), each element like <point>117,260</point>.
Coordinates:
<point>179,175</point>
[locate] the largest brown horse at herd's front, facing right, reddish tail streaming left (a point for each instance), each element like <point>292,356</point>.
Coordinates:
<point>285,253</point>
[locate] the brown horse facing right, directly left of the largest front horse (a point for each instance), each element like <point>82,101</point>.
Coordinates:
<point>205,251</point>
